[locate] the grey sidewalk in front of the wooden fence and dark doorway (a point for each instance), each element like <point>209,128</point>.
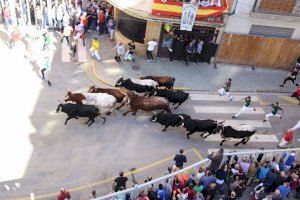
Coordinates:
<point>198,77</point>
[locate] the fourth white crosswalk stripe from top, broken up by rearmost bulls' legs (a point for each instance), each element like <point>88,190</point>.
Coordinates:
<point>254,138</point>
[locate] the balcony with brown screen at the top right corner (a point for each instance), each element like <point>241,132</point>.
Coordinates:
<point>286,10</point>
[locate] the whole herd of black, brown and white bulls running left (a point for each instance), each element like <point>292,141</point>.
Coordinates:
<point>104,101</point>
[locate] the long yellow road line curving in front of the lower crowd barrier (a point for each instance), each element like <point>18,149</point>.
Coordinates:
<point>43,196</point>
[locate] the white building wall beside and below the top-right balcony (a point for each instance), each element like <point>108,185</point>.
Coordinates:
<point>241,21</point>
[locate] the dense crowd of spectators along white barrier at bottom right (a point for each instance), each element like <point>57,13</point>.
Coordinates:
<point>263,178</point>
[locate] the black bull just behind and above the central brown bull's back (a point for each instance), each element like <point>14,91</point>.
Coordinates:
<point>175,97</point>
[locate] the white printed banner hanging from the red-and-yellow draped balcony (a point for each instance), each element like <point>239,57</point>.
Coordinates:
<point>189,12</point>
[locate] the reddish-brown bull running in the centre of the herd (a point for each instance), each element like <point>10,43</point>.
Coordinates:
<point>146,103</point>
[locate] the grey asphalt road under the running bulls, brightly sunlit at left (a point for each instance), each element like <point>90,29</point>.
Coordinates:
<point>39,153</point>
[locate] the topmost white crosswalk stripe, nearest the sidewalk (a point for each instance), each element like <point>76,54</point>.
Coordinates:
<point>216,97</point>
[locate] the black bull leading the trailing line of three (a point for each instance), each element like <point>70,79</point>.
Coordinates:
<point>167,119</point>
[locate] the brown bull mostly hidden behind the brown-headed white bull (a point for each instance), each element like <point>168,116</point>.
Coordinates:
<point>119,95</point>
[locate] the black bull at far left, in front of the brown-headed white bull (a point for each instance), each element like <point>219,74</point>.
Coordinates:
<point>77,110</point>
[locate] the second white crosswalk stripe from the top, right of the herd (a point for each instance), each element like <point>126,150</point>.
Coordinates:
<point>217,109</point>
